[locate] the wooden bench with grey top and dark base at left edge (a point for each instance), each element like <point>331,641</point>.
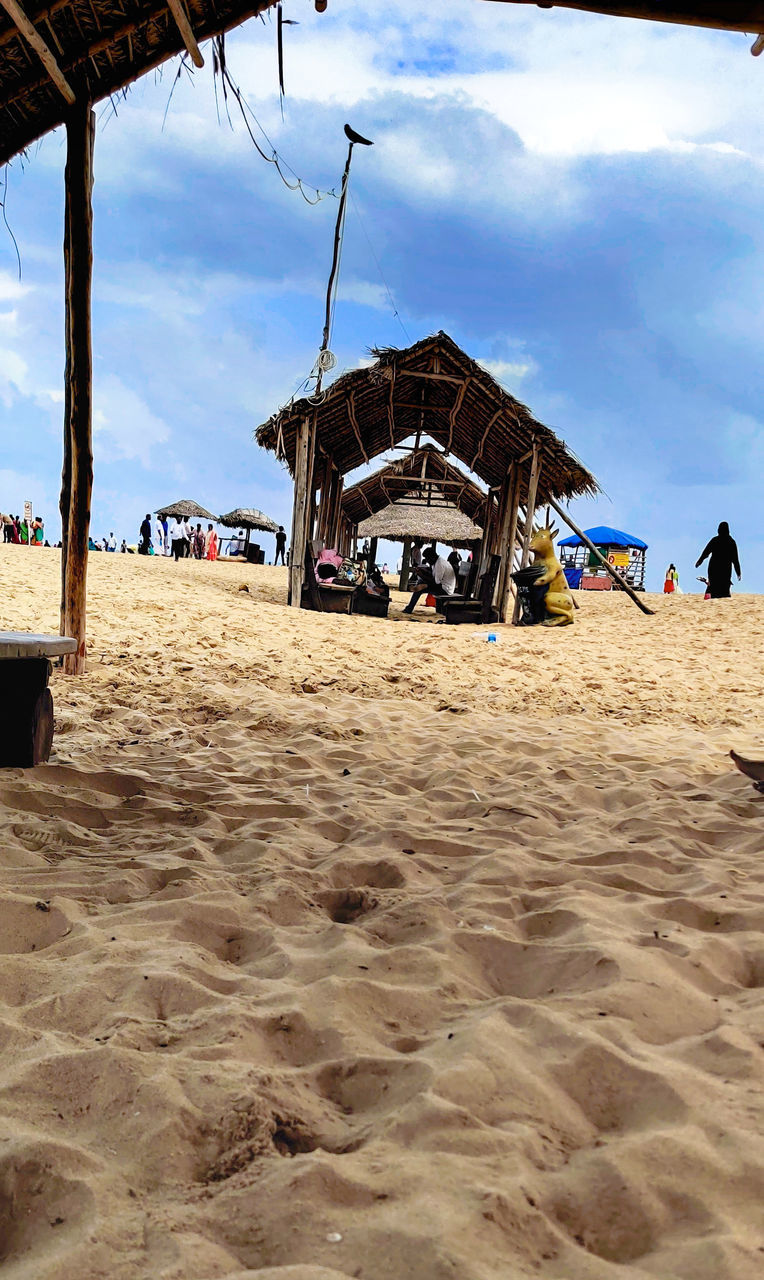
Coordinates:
<point>26,702</point>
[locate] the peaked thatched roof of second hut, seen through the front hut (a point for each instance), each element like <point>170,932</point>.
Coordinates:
<point>423,477</point>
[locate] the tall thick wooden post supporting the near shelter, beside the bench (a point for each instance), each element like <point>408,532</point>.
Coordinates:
<point>77,478</point>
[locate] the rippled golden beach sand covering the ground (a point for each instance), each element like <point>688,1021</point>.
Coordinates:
<point>344,948</point>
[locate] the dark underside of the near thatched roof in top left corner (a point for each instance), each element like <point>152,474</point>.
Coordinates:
<point>98,48</point>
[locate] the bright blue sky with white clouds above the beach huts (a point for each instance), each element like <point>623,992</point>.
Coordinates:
<point>577,200</point>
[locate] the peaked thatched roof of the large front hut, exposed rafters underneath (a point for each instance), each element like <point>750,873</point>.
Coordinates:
<point>433,388</point>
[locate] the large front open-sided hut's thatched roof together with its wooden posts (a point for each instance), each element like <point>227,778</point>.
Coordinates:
<point>434,390</point>
